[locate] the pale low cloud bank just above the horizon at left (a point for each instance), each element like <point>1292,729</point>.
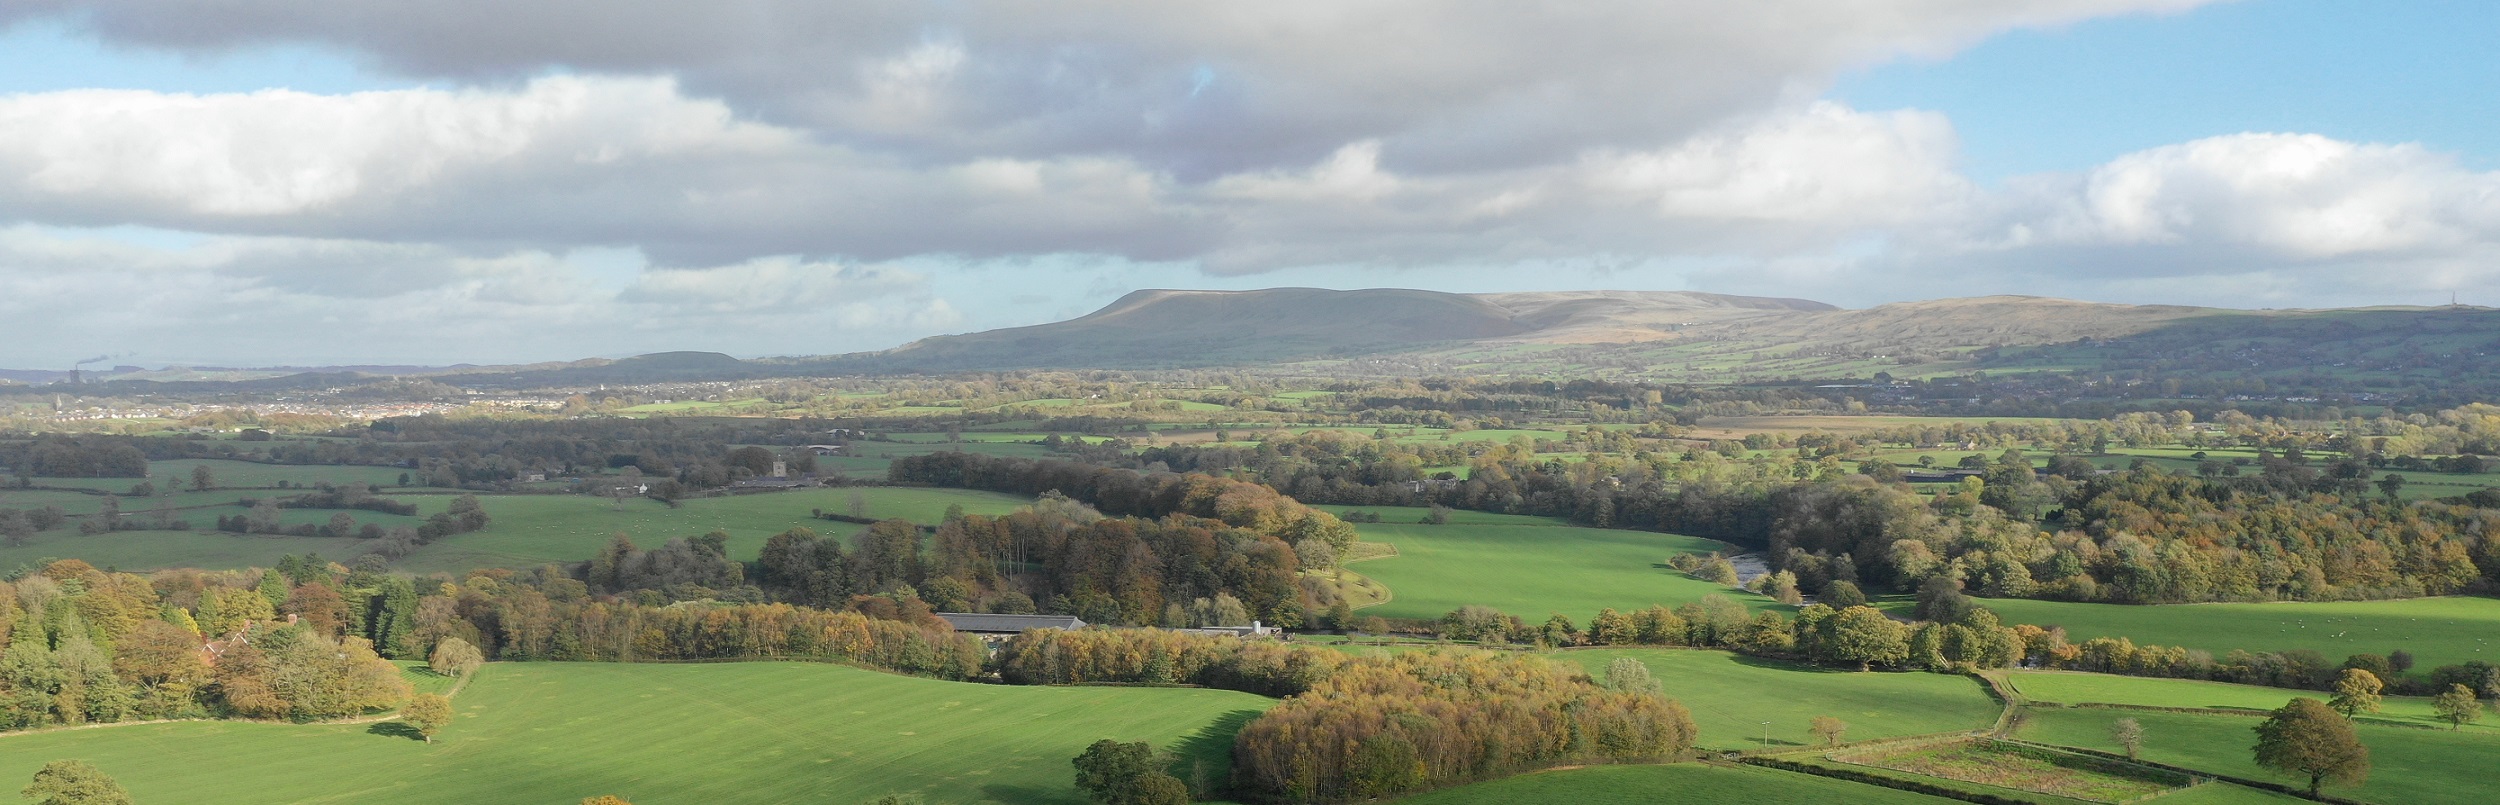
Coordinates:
<point>251,301</point>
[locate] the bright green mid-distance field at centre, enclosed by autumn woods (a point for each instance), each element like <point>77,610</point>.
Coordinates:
<point>1531,566</point>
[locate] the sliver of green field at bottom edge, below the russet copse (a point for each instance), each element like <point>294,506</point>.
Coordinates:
<point>1671,784</point>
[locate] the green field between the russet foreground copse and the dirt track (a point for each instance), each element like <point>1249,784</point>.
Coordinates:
<point>1734,696</point>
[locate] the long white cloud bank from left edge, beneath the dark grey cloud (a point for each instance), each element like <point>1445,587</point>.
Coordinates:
<point>631,161</point>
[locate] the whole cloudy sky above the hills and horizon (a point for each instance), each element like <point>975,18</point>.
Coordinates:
<point>514,181</point>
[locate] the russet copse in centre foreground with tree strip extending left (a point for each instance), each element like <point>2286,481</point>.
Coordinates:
<point>1359,729</point>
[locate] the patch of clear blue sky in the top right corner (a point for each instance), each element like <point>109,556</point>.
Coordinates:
<point>2069,99</point>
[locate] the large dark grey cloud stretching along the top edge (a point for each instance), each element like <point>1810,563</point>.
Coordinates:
<point>1181,89</point>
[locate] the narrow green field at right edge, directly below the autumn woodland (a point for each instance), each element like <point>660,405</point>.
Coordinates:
<point>2439,631</point>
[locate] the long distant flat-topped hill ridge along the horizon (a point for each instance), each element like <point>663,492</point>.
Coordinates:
<point>1671,334</point>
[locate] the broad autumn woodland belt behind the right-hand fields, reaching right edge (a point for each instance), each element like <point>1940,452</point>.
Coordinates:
<point>2289,531</point>
